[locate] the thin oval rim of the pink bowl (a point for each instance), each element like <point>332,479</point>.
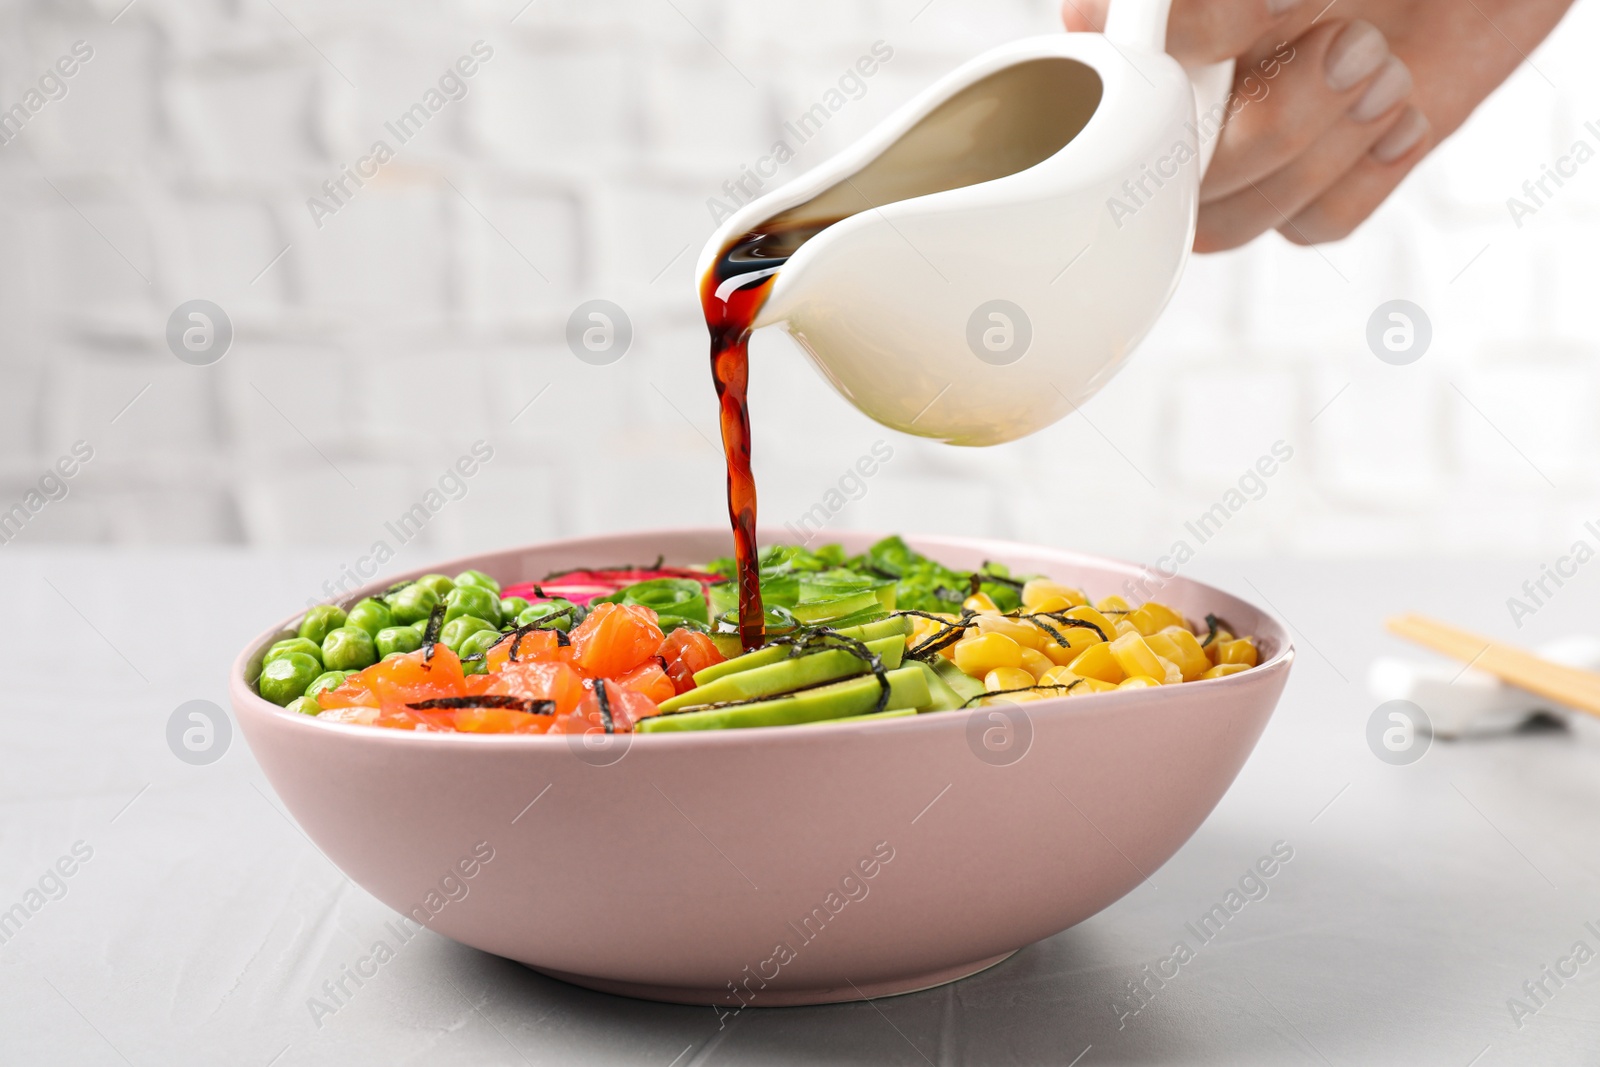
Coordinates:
<point>246,697</point>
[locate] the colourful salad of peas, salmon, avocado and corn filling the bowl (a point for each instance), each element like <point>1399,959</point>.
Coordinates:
<point>623,649</point>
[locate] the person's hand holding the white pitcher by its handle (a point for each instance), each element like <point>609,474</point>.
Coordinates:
<point>1359,92</point>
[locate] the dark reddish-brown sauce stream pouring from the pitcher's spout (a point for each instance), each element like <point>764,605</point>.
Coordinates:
<point>730,310</point>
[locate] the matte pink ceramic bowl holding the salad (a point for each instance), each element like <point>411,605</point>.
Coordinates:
<point>783,866</point>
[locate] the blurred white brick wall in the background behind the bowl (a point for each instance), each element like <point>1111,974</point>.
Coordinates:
<point>431,308</point>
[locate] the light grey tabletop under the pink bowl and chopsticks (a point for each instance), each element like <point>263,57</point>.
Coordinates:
<point>1418,901</point>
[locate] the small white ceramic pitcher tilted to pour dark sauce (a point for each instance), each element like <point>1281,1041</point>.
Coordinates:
<point>1006,239</point>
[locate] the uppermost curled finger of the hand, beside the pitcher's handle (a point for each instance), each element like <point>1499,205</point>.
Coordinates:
<point>1287,102</point>
